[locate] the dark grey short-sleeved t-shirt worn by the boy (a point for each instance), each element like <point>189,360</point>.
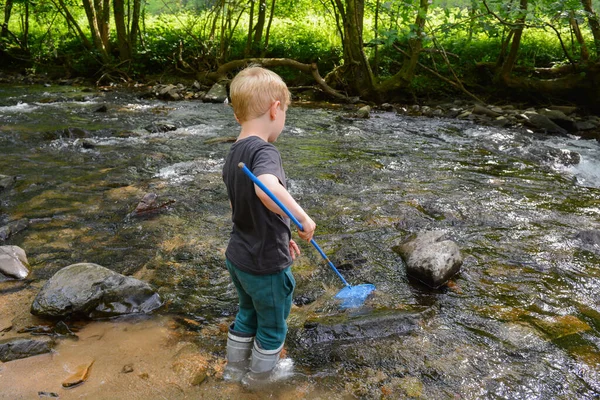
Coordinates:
<point>259,241</point>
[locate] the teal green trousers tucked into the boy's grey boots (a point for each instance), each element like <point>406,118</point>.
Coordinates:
<point>265,302</point>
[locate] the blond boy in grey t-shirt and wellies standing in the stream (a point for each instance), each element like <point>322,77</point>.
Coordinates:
<point>260,250</point>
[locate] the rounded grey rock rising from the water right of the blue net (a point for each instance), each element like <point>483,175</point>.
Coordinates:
<point>430,258</point>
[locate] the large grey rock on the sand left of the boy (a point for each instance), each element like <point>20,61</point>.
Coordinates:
<point>92,291</point>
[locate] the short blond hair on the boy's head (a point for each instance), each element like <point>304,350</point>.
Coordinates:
<point>253,91</point>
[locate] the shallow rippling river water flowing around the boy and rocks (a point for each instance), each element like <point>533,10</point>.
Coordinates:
<point>521,320</point>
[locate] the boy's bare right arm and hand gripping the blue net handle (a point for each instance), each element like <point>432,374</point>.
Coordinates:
<point>272,183</point>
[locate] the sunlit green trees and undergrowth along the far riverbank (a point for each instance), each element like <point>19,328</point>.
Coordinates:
<point>382,47</point>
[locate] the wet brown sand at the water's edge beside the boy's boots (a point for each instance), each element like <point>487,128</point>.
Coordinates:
<point>147,357</point>
